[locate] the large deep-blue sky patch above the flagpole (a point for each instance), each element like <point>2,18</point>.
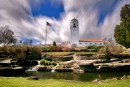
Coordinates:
<point>48,9</point>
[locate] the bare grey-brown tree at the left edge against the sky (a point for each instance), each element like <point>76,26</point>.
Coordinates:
<point>6,36</point>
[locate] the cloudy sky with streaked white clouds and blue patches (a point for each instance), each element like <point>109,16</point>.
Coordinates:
<point>27,18</point>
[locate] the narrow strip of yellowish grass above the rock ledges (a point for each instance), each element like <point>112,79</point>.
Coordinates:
<point>66,53</point>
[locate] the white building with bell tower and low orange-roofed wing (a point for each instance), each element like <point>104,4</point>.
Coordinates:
<point>74,37</point>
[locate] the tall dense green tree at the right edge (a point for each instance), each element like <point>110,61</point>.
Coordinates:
<point>122,31</point>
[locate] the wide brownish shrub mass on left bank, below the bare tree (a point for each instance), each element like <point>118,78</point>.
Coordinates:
<point>21,52</point>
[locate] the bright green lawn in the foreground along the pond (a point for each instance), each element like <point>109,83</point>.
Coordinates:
<point>24,82</point>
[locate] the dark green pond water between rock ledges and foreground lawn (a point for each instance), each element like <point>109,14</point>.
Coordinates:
<point>76,76</point>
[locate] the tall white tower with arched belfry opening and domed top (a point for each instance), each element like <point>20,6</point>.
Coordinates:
<point>74,33</point>
